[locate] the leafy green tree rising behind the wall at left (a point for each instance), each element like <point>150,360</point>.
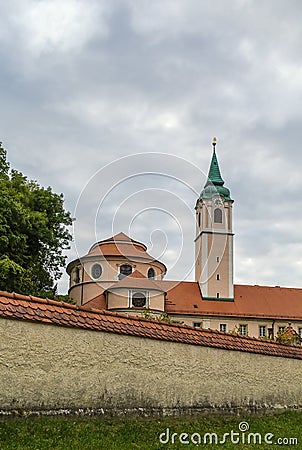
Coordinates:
<point>33,233</point>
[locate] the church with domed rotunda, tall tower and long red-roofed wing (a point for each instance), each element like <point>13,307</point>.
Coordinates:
<point>118,274</point>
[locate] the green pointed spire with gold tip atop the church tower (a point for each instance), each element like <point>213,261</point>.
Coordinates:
<point>214,185</point>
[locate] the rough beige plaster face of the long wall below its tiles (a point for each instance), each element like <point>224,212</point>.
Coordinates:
<point>46,366</point>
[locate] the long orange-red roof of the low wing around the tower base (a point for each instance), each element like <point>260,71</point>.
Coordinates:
<point>250,301</point>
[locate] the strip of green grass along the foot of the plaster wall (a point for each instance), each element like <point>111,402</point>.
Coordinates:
<point>96,433</point>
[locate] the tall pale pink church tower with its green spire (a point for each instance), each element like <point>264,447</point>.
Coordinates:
<point>214,237</point>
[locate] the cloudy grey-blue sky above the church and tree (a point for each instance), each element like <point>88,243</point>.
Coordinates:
<point>115,104</point>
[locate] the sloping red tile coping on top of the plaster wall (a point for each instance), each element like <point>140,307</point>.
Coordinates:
<point>21,307</point>
